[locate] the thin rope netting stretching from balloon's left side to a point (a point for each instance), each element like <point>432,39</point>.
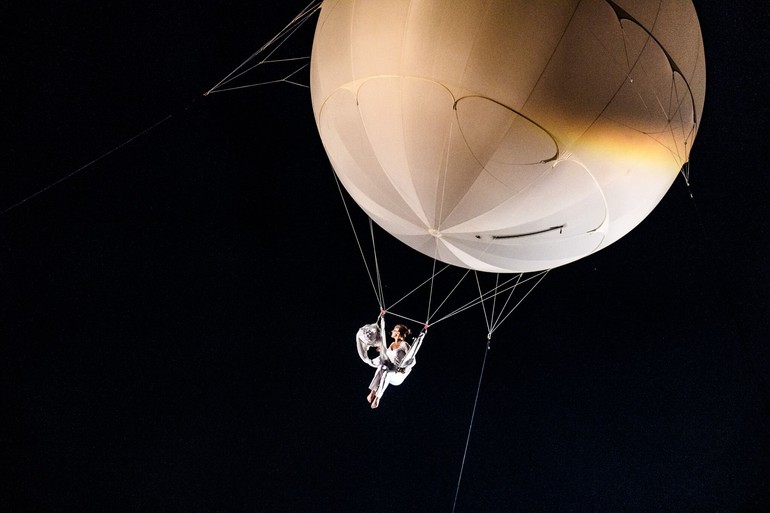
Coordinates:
<point>274,44</point>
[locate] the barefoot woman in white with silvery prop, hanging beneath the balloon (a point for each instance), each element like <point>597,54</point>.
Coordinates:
<point>393,363</point>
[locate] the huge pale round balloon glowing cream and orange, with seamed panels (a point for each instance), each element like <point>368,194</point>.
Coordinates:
<point>507,135</point>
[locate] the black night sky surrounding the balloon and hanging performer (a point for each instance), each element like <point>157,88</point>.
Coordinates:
<point>178,315</point>
